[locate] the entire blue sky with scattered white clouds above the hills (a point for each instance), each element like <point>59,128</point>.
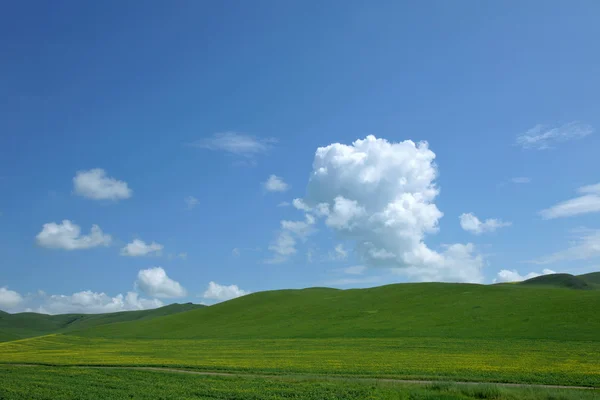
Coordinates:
<point>199,151</point>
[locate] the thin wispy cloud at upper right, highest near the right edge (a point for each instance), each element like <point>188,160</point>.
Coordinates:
<point>541,137</point>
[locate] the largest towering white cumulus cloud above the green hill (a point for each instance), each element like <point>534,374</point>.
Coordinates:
<point>380,195</point>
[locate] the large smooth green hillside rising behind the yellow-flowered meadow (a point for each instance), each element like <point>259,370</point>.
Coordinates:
<point>399,310</point>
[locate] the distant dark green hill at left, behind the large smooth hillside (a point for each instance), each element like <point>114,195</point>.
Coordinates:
<point>23,325</point>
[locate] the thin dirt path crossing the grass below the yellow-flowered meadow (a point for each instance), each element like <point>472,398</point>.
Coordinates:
<point>316,377</point>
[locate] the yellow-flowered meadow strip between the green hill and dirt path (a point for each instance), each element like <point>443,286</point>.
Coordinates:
<point>519,361</point>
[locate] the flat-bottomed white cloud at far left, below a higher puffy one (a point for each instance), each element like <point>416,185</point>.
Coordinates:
<point>68,236</point>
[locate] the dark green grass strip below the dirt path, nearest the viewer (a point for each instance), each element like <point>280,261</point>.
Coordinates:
<point>33,383</point>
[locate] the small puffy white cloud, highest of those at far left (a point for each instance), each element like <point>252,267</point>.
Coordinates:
<point>94,184</point>
